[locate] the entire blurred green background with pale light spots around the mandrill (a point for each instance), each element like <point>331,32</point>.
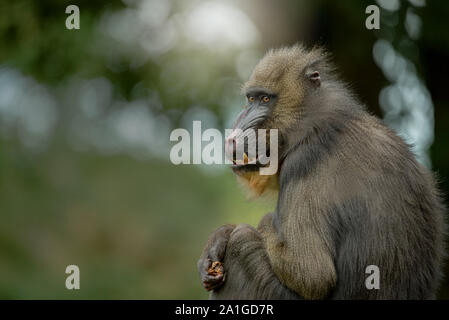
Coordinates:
<point>85,119</point>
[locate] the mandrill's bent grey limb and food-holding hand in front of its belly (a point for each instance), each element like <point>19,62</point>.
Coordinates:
<point>247,271</point>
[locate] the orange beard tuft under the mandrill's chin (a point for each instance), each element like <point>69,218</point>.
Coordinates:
<point>257,183</point>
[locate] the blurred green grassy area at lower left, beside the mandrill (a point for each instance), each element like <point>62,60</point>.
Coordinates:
<point>135,228</point>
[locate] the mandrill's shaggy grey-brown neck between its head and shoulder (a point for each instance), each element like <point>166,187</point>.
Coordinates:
<point>326,114</point>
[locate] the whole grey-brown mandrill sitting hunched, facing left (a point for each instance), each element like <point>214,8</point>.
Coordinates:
<point>350,195</point>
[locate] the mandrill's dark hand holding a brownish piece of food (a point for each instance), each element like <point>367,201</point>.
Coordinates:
<point>210,265</point>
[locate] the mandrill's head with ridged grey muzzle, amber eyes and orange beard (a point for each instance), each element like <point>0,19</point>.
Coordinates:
<point>276,96</point>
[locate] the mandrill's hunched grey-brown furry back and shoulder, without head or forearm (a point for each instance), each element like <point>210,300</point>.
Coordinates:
<point>373,203</point>
